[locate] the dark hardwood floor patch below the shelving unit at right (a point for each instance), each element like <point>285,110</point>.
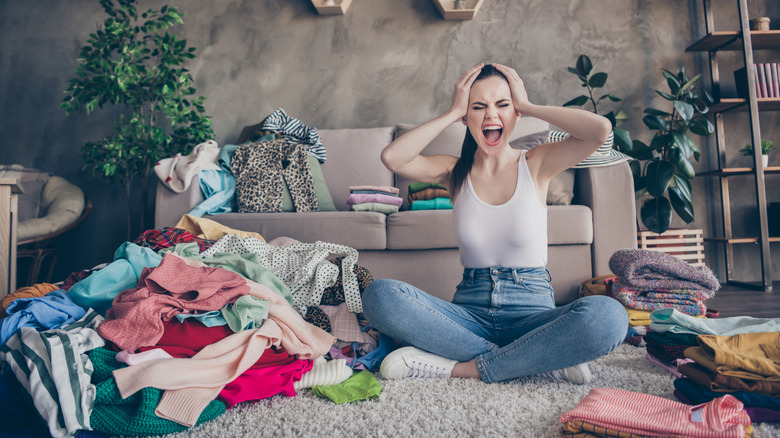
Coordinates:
<point>736,301</point>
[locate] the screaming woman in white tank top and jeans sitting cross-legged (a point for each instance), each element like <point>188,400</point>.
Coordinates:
<point>502,323</point>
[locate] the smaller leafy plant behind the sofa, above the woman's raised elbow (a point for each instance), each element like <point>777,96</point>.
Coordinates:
<point>585,70</point>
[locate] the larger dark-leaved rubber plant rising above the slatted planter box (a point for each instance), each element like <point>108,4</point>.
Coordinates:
<point>663,170</point>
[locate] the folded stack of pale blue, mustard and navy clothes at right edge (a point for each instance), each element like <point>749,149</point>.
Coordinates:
<point>739,356</point>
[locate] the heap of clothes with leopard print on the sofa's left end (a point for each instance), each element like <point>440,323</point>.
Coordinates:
<point>272,169</point>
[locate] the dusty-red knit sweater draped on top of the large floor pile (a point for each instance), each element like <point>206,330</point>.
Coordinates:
<point>136,315</point>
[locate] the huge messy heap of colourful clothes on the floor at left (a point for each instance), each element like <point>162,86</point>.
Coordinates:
<point>185,323</point>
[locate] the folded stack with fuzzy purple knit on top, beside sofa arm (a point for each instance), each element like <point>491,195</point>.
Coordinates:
<point>651,280</point>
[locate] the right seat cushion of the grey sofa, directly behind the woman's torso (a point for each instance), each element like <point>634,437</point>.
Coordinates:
<point>429,229</point>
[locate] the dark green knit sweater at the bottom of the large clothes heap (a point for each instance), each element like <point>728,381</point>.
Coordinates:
<point>134,415</point>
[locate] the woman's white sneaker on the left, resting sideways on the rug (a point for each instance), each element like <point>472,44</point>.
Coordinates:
<point>413,362</point>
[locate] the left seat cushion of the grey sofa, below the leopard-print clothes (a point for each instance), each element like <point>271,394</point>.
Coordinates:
<point>359,230</point>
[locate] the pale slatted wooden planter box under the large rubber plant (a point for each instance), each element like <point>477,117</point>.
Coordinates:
<point>684,244</point>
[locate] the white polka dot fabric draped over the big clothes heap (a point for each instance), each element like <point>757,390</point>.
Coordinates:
<point>303,267</point>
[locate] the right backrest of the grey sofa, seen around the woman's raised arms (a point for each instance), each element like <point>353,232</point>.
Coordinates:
<point>451,139</point>
